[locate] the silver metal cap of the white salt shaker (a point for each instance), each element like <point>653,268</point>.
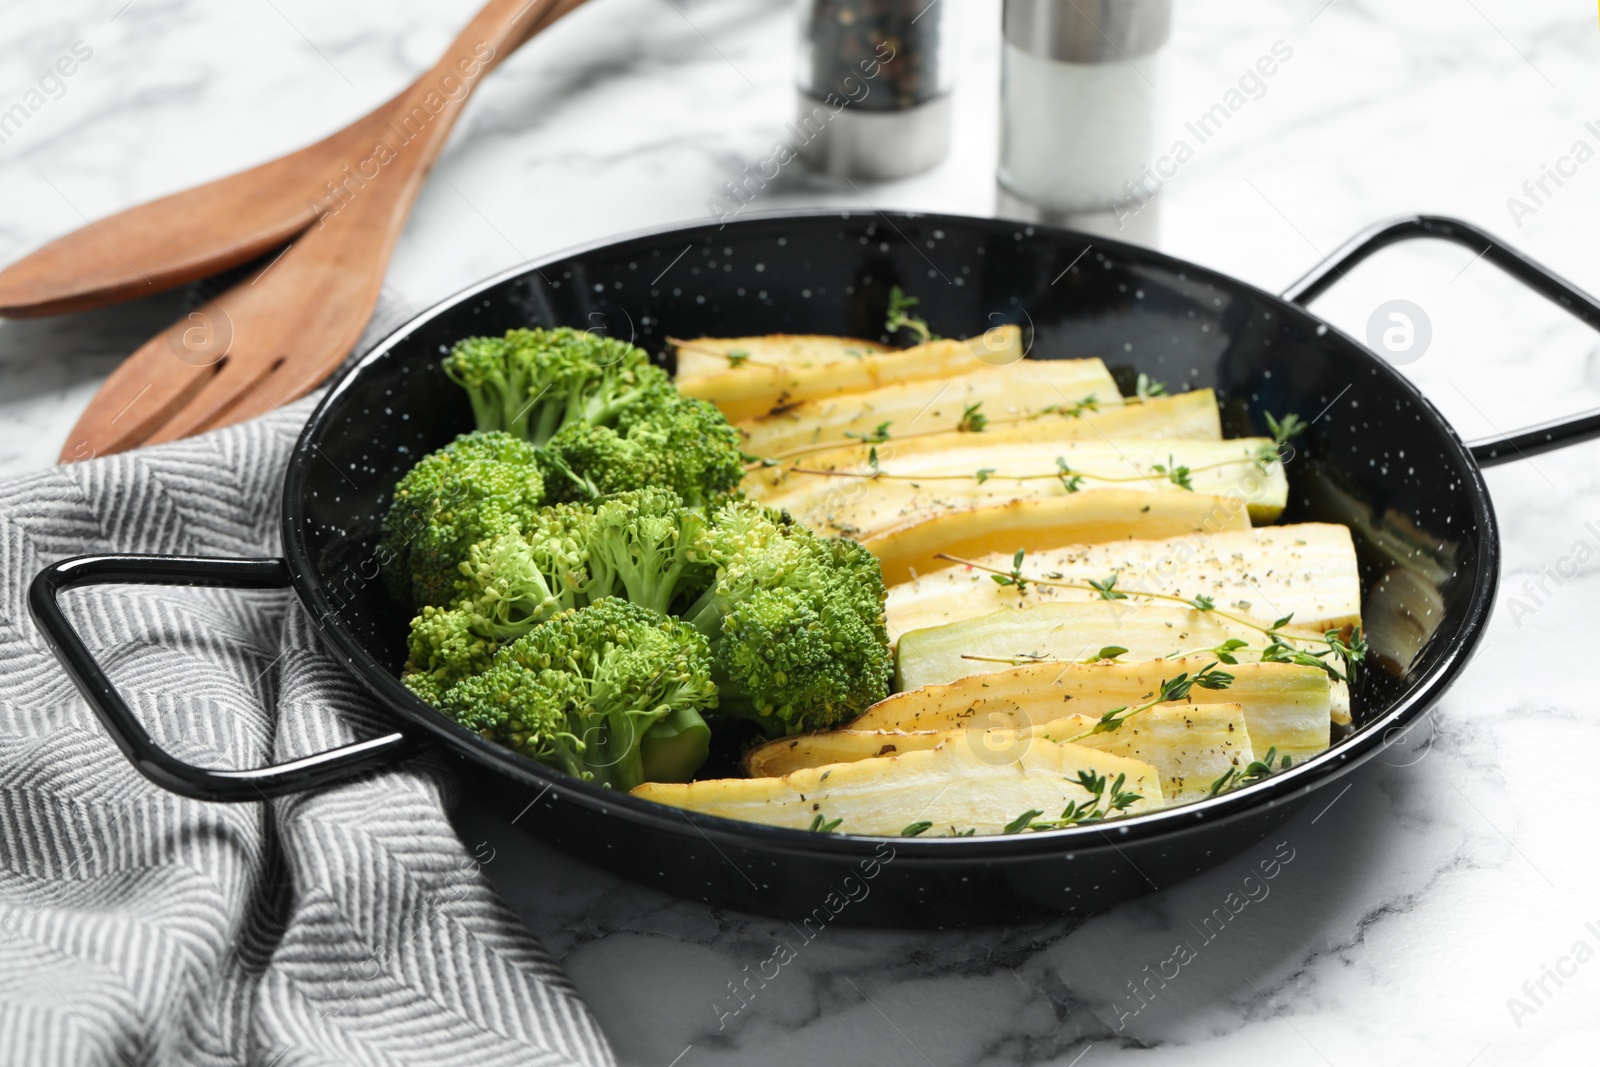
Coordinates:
<point>1089,31</point>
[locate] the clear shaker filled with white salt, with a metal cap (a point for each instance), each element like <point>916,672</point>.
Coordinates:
<point>1078,114</point>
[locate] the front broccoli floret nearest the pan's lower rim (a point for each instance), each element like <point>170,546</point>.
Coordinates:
<point>586,690</point>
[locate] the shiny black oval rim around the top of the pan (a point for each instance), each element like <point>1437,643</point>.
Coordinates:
<point>1287,788</point>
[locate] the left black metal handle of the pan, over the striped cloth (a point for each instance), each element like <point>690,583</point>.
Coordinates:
<point>151,761</point>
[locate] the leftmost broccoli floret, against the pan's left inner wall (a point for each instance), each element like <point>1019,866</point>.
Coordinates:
<point>476,487</point>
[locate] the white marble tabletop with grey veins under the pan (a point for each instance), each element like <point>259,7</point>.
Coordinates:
<point>1414,909</point>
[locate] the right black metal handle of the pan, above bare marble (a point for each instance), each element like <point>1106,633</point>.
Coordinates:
<point>1534,441</point>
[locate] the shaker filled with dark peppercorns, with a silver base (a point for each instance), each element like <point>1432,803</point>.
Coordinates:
<point>874,87</point>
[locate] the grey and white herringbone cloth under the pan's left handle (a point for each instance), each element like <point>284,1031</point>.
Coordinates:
<point>137,927</point>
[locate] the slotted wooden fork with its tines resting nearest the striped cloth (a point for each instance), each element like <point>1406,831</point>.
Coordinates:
<point>274,338</point>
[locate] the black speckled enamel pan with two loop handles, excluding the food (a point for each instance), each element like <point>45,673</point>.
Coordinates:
<point>1425,529</point>
